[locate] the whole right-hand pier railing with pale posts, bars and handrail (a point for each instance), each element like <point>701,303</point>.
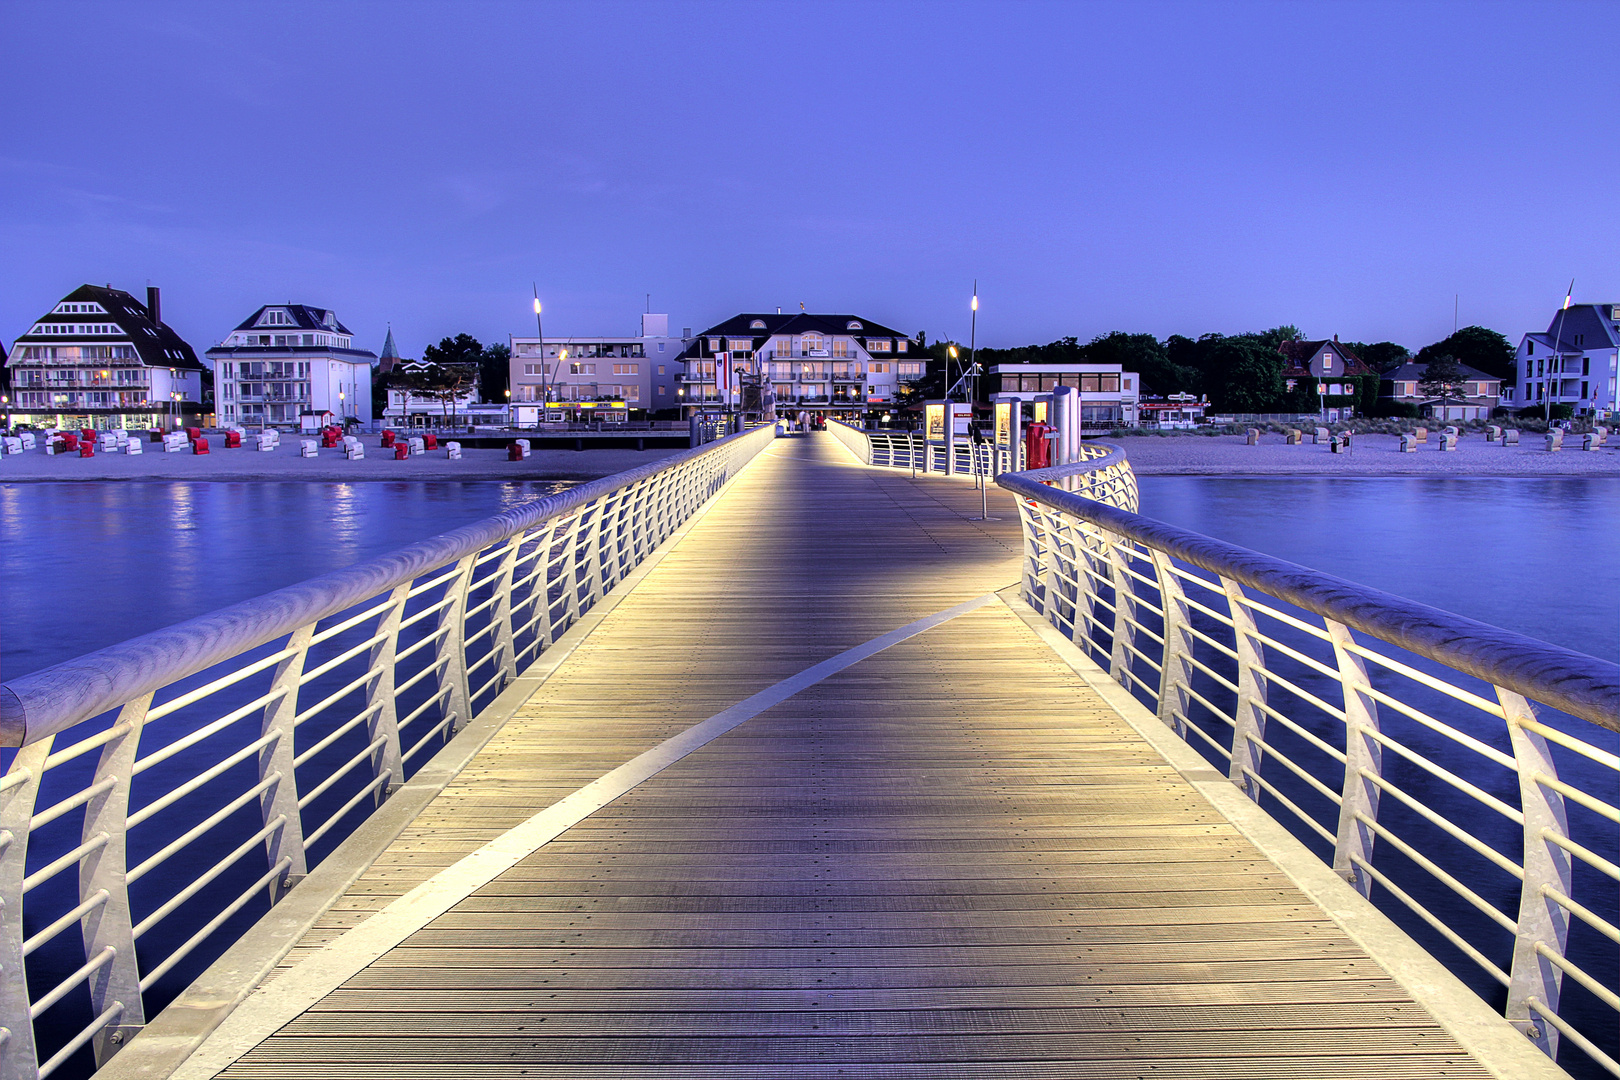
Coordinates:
<point>1460,776</point>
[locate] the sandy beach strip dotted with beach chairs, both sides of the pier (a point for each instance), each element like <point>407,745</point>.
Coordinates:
<point>1151,456</point>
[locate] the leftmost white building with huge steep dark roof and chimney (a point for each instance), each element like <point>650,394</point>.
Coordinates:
<point>100,359</point>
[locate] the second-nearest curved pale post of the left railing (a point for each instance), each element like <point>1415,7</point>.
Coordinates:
<point>103,875</point>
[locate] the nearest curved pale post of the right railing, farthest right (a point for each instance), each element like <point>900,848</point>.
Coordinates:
<point>1543,924</point>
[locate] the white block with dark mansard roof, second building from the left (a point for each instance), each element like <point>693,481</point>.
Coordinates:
<point>288,360</point>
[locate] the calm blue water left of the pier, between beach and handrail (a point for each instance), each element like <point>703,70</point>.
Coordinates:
<point>87,566</point>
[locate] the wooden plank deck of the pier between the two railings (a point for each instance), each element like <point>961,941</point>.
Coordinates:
<point>950,859</point>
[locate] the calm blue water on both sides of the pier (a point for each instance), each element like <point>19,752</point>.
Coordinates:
<point>87,566</point>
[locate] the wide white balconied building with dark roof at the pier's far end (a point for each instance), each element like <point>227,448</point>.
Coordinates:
<point>819,364</point>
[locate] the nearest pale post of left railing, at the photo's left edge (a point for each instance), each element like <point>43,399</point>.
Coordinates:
<point>20,1055</point>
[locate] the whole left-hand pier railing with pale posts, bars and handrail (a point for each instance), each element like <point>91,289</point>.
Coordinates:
<point>143,778</point>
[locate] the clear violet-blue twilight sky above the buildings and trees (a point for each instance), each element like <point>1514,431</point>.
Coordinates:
<point>1162,168</point>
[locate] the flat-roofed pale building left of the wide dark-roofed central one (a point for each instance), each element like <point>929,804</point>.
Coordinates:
<point>573,372</point>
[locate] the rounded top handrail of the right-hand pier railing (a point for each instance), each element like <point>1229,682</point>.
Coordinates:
<point>1582,686</point>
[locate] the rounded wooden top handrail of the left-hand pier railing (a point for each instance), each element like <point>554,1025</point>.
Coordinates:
<point>56,699</point>
